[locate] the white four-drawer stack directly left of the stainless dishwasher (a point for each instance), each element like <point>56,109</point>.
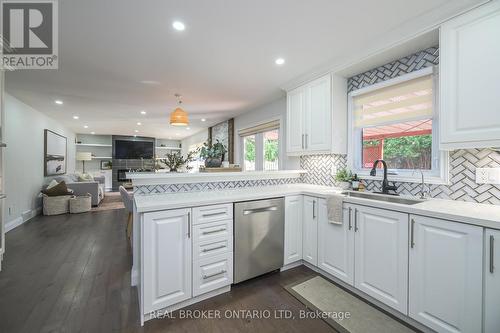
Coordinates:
<point>212,247</point>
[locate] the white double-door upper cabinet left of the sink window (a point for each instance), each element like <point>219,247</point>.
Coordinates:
<point>316,117</point>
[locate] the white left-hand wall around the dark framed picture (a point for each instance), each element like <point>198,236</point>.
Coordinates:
<point>23,158</point>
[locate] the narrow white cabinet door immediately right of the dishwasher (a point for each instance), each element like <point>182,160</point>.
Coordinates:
<point>293,228</point>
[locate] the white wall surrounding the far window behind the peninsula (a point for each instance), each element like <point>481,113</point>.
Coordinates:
<point>270,111</point>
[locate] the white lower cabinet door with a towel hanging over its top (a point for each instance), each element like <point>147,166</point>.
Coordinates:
<point>336,244</point>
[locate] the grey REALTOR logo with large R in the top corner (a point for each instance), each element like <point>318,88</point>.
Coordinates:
<point>29,34</point>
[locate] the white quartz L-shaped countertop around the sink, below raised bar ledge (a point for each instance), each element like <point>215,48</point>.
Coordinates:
<point>466,212</point>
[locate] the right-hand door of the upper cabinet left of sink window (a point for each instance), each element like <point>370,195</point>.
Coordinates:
<point>318,116</point>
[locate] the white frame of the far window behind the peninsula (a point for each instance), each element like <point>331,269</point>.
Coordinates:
<point>259,145</point>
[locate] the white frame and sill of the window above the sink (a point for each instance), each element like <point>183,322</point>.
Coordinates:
<point>439,174</point>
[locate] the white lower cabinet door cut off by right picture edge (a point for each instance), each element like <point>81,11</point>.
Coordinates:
<point>492,281</point>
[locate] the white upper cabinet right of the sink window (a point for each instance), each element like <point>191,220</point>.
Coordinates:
<point>470,79</point>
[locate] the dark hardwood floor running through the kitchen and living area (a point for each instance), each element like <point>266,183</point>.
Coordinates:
<point>71,273</point>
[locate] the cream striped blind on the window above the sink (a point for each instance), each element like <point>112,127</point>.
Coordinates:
<point>405,101</point>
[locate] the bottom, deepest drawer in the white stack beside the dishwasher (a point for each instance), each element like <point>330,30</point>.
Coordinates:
<point>212,273</point>
